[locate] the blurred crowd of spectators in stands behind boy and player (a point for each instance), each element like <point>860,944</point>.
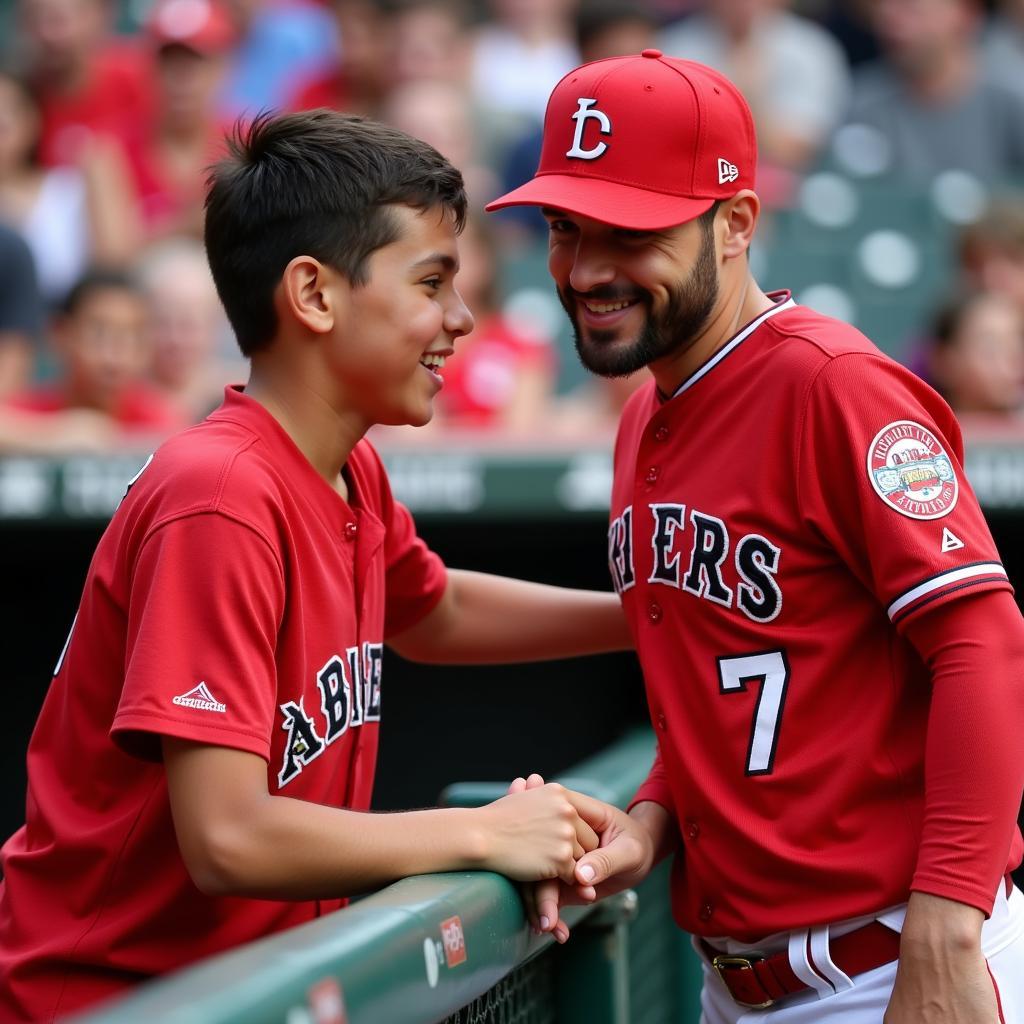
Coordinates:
<point>110,112</point>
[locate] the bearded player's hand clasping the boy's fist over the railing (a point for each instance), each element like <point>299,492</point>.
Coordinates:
<point>624,858</point>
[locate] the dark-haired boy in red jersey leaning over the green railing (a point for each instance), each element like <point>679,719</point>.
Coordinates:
<point>210,735</point>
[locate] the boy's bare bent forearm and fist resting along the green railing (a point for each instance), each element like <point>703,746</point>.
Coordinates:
<point>238,839</point>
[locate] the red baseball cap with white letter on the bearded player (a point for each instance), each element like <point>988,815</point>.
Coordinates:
<point>645,142</point>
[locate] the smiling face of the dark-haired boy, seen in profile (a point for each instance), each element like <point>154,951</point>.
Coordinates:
<point>390,351</point>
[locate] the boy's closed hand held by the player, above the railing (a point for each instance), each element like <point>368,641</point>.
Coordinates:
<point>535,834</point>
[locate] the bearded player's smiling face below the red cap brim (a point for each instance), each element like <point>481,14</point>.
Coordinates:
<point>633,297</point>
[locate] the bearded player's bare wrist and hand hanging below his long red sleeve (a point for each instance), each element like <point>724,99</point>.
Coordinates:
<point>943,977</point>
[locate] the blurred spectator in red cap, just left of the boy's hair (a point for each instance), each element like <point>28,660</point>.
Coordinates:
<point>192,40</point>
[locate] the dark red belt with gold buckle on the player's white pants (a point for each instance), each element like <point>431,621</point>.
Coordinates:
<point>759,983</point>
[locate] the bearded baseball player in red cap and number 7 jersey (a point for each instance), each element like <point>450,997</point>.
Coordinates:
<point>832,651</point>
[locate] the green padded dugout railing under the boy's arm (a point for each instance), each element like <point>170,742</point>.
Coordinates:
<point>452,948</point>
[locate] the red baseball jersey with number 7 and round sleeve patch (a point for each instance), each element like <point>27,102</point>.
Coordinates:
<point>775,526</point>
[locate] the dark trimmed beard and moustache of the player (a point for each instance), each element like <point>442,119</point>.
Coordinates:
<point>689,309</point>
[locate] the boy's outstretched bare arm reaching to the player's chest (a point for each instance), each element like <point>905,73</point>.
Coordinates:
<point>490,620</point>
